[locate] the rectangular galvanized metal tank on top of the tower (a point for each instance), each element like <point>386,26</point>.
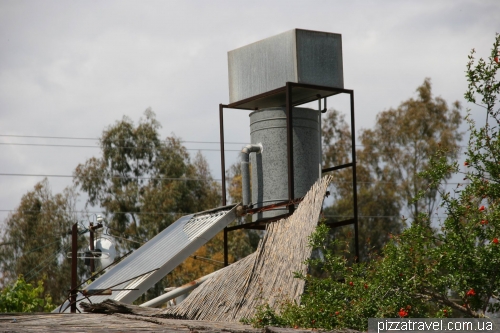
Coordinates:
<point>300,56</point>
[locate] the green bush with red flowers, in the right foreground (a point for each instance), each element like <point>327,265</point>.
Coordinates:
<point>449,272</point>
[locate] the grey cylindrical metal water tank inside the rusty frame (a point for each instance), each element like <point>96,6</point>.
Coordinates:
<point>270,167</point>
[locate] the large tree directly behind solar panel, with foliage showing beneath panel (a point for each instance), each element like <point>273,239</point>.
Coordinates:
<point>144,184</point>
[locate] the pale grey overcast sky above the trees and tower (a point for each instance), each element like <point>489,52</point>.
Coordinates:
<point>70,69</point>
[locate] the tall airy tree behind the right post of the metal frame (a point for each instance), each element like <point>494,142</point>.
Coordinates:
<point>388,164</point>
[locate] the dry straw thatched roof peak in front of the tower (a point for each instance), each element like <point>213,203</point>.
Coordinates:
<point>265,276</point>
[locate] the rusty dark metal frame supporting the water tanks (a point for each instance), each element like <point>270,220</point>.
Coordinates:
<point>289,104</point>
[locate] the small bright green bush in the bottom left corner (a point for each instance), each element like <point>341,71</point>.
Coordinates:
<point>24,297</point>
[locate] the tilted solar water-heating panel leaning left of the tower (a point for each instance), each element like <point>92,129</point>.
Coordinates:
<point>159,256</point>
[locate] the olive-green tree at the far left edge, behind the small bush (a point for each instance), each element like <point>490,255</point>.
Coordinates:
<point>36,240</point>
